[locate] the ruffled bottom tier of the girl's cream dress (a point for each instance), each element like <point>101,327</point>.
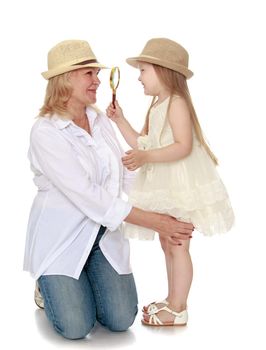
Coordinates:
<point>208,208</point>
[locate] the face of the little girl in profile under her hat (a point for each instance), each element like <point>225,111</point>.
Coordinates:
<point>149,79</point>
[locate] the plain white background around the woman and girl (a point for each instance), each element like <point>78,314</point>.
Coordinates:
<point>226,42</point>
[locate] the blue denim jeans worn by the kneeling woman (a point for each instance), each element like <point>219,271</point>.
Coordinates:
<point>100,294</point>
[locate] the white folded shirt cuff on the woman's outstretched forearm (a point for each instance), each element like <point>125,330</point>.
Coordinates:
<point>116,214</point>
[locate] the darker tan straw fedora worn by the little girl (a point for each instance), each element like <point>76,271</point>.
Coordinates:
<point>165,53</point>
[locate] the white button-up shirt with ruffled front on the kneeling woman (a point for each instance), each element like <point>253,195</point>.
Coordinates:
<point>80,179</point>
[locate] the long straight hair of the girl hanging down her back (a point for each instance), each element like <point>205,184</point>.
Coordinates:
<point>176,83</point>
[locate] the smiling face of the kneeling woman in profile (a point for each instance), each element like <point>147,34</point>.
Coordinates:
<point>85,83</point>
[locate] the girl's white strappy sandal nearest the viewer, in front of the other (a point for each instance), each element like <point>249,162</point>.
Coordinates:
<point>180,319</point>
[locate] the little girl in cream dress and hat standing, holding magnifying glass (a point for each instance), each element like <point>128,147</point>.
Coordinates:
<point>177,172</point>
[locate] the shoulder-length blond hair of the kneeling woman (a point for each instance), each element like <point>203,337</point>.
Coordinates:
<point>58,92</point>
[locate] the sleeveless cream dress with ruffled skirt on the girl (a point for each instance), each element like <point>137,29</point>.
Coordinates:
<point>189,189</point>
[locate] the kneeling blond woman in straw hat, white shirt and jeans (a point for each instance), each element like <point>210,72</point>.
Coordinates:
<point>74,246</point>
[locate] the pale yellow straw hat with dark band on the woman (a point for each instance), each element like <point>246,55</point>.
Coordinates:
<point>70,55</point>
